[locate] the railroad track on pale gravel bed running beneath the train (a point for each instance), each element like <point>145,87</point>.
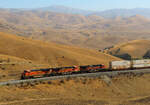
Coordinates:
<point>97,74</point>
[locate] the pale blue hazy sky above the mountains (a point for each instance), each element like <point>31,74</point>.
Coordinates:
<point>82,4</point>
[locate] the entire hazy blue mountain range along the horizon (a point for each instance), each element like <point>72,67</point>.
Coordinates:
<point>113,13</point>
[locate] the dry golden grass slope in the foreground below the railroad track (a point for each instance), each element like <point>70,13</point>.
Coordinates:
<point>81,91</point>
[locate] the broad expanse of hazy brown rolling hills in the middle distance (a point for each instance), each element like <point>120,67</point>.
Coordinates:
<point>85,31</point>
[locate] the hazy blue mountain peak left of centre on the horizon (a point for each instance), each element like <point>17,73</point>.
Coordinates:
<point>67,10</point>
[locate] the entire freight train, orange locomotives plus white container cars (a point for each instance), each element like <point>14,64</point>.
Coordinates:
<point>113,65</point>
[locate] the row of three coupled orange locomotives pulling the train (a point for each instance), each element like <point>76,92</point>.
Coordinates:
<point>28,74</point>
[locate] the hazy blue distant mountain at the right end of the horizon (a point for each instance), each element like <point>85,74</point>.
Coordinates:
<point>123,12</point>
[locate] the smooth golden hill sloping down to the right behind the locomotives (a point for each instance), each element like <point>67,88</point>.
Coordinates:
<point>49,53</point>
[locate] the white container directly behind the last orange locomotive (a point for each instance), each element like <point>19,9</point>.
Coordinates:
<point>120,65</point>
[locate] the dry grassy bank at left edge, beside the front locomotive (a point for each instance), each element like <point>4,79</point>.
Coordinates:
<point>11,67</point>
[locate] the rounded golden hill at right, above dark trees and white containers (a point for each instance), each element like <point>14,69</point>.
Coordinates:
<point>136,48</point>
